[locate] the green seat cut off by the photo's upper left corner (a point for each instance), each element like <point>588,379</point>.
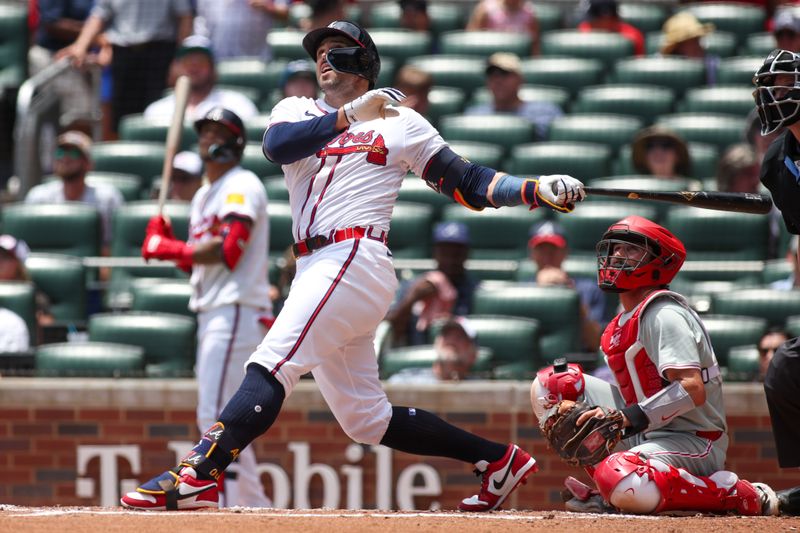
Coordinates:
<point>14,42</point>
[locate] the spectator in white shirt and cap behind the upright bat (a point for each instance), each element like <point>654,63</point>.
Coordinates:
<point>195,59</point>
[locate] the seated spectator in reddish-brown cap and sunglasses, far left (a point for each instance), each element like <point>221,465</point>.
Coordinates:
<point>71,164</point>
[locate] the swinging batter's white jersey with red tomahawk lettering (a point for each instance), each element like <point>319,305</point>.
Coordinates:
<point>355,179</point>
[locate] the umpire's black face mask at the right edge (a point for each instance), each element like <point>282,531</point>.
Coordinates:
<point>778,105</point>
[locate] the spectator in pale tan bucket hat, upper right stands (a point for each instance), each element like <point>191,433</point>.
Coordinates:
<point>682,36</point>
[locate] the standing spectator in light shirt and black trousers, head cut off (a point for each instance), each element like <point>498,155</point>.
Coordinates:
<point>143,35</point>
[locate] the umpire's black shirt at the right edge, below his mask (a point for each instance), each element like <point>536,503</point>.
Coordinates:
<point>780,173</point>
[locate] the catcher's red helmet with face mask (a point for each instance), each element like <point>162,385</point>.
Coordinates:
<point>663,257</point>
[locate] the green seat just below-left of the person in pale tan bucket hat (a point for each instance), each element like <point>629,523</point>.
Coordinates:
<point>676,73</point>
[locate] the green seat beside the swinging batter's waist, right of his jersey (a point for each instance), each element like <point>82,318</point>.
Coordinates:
<point>410,230</point>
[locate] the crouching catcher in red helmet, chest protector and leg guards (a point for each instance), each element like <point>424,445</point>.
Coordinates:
<point>657,441</point>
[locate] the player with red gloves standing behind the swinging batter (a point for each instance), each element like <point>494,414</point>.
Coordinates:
<point>226,254</point>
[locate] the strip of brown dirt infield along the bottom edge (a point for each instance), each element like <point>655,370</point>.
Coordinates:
<point>110,520</point>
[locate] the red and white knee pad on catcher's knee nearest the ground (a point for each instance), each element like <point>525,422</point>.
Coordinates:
<point>626,481</point>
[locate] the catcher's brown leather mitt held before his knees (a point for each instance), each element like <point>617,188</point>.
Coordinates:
<point>583,445</point>
